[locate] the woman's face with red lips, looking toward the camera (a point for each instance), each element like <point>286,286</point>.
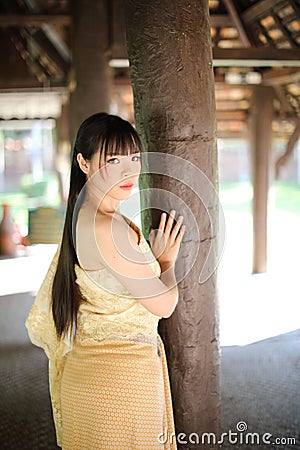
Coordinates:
<point>116,176</point>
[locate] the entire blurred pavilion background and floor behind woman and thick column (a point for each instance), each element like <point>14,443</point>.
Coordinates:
<point>60,58</point>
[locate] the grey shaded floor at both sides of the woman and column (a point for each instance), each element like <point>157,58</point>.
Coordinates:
<point>260,387</point>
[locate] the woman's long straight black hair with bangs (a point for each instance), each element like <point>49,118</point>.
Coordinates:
<point>111,135</point>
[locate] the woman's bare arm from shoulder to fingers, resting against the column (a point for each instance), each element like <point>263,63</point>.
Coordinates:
<point>130,266</point>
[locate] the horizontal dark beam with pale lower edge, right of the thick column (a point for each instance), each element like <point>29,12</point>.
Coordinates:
<point>256,57</point>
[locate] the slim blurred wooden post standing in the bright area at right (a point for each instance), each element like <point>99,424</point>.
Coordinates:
<point>261,144</point>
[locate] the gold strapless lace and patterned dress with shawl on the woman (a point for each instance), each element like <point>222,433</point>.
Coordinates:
<point>109,385</point>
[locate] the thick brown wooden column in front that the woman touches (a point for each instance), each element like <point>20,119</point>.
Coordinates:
<point>169,49</point>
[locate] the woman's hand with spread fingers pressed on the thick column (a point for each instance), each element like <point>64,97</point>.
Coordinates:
<point>165,241</point>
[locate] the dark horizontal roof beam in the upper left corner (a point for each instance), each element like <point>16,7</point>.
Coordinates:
<point>24,20</point>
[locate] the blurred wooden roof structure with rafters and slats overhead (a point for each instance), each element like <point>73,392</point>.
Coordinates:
<point>254,42</point>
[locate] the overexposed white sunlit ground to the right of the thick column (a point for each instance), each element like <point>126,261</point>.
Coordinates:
<point>255,307</point>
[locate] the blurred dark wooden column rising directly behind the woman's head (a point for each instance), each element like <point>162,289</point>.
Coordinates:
<point>90,75</point>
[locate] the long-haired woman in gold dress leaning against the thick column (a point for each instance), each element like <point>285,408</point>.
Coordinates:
<point>97,311</point>
